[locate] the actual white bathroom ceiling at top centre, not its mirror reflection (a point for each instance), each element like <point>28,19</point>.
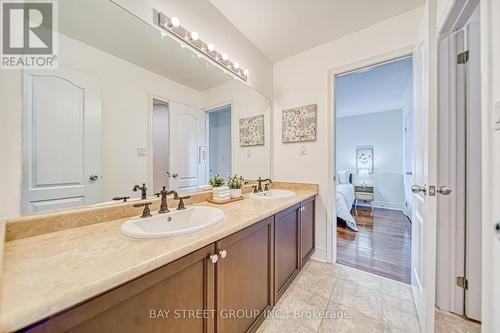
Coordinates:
<point>281,28</point>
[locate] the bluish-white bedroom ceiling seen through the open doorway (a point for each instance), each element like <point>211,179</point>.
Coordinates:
<point>373,89</point>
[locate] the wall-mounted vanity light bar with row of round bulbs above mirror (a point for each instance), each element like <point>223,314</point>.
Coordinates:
<point>190,39</point>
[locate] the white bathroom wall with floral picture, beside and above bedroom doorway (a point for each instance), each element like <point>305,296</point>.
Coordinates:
<point>303,79</point>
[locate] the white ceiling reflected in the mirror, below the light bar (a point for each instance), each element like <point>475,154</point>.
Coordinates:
<point>107,27</point>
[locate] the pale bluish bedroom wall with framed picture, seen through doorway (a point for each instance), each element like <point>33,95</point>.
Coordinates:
<point>383,131</point>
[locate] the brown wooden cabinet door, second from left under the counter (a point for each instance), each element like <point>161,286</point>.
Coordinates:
<point>245,278</point>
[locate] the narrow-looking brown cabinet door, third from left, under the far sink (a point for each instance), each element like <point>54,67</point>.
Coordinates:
<point>286,247</point>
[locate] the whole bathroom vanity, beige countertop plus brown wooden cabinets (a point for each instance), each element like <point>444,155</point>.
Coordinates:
<point>222,279</point>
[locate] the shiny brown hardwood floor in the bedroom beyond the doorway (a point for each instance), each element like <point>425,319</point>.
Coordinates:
<point>382,245</point>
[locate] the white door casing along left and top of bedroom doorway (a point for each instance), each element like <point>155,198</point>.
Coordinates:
<point>331,208</point>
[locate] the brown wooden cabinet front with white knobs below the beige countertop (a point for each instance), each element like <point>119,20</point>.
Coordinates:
<point>197,294</point>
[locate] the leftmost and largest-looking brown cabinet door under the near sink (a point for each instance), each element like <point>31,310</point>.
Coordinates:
<point>142,304</point>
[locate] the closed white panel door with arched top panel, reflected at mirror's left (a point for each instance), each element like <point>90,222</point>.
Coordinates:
<point>61,139</point>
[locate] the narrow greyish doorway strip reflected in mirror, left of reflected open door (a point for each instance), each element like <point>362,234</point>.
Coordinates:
<point>161,145</point>
